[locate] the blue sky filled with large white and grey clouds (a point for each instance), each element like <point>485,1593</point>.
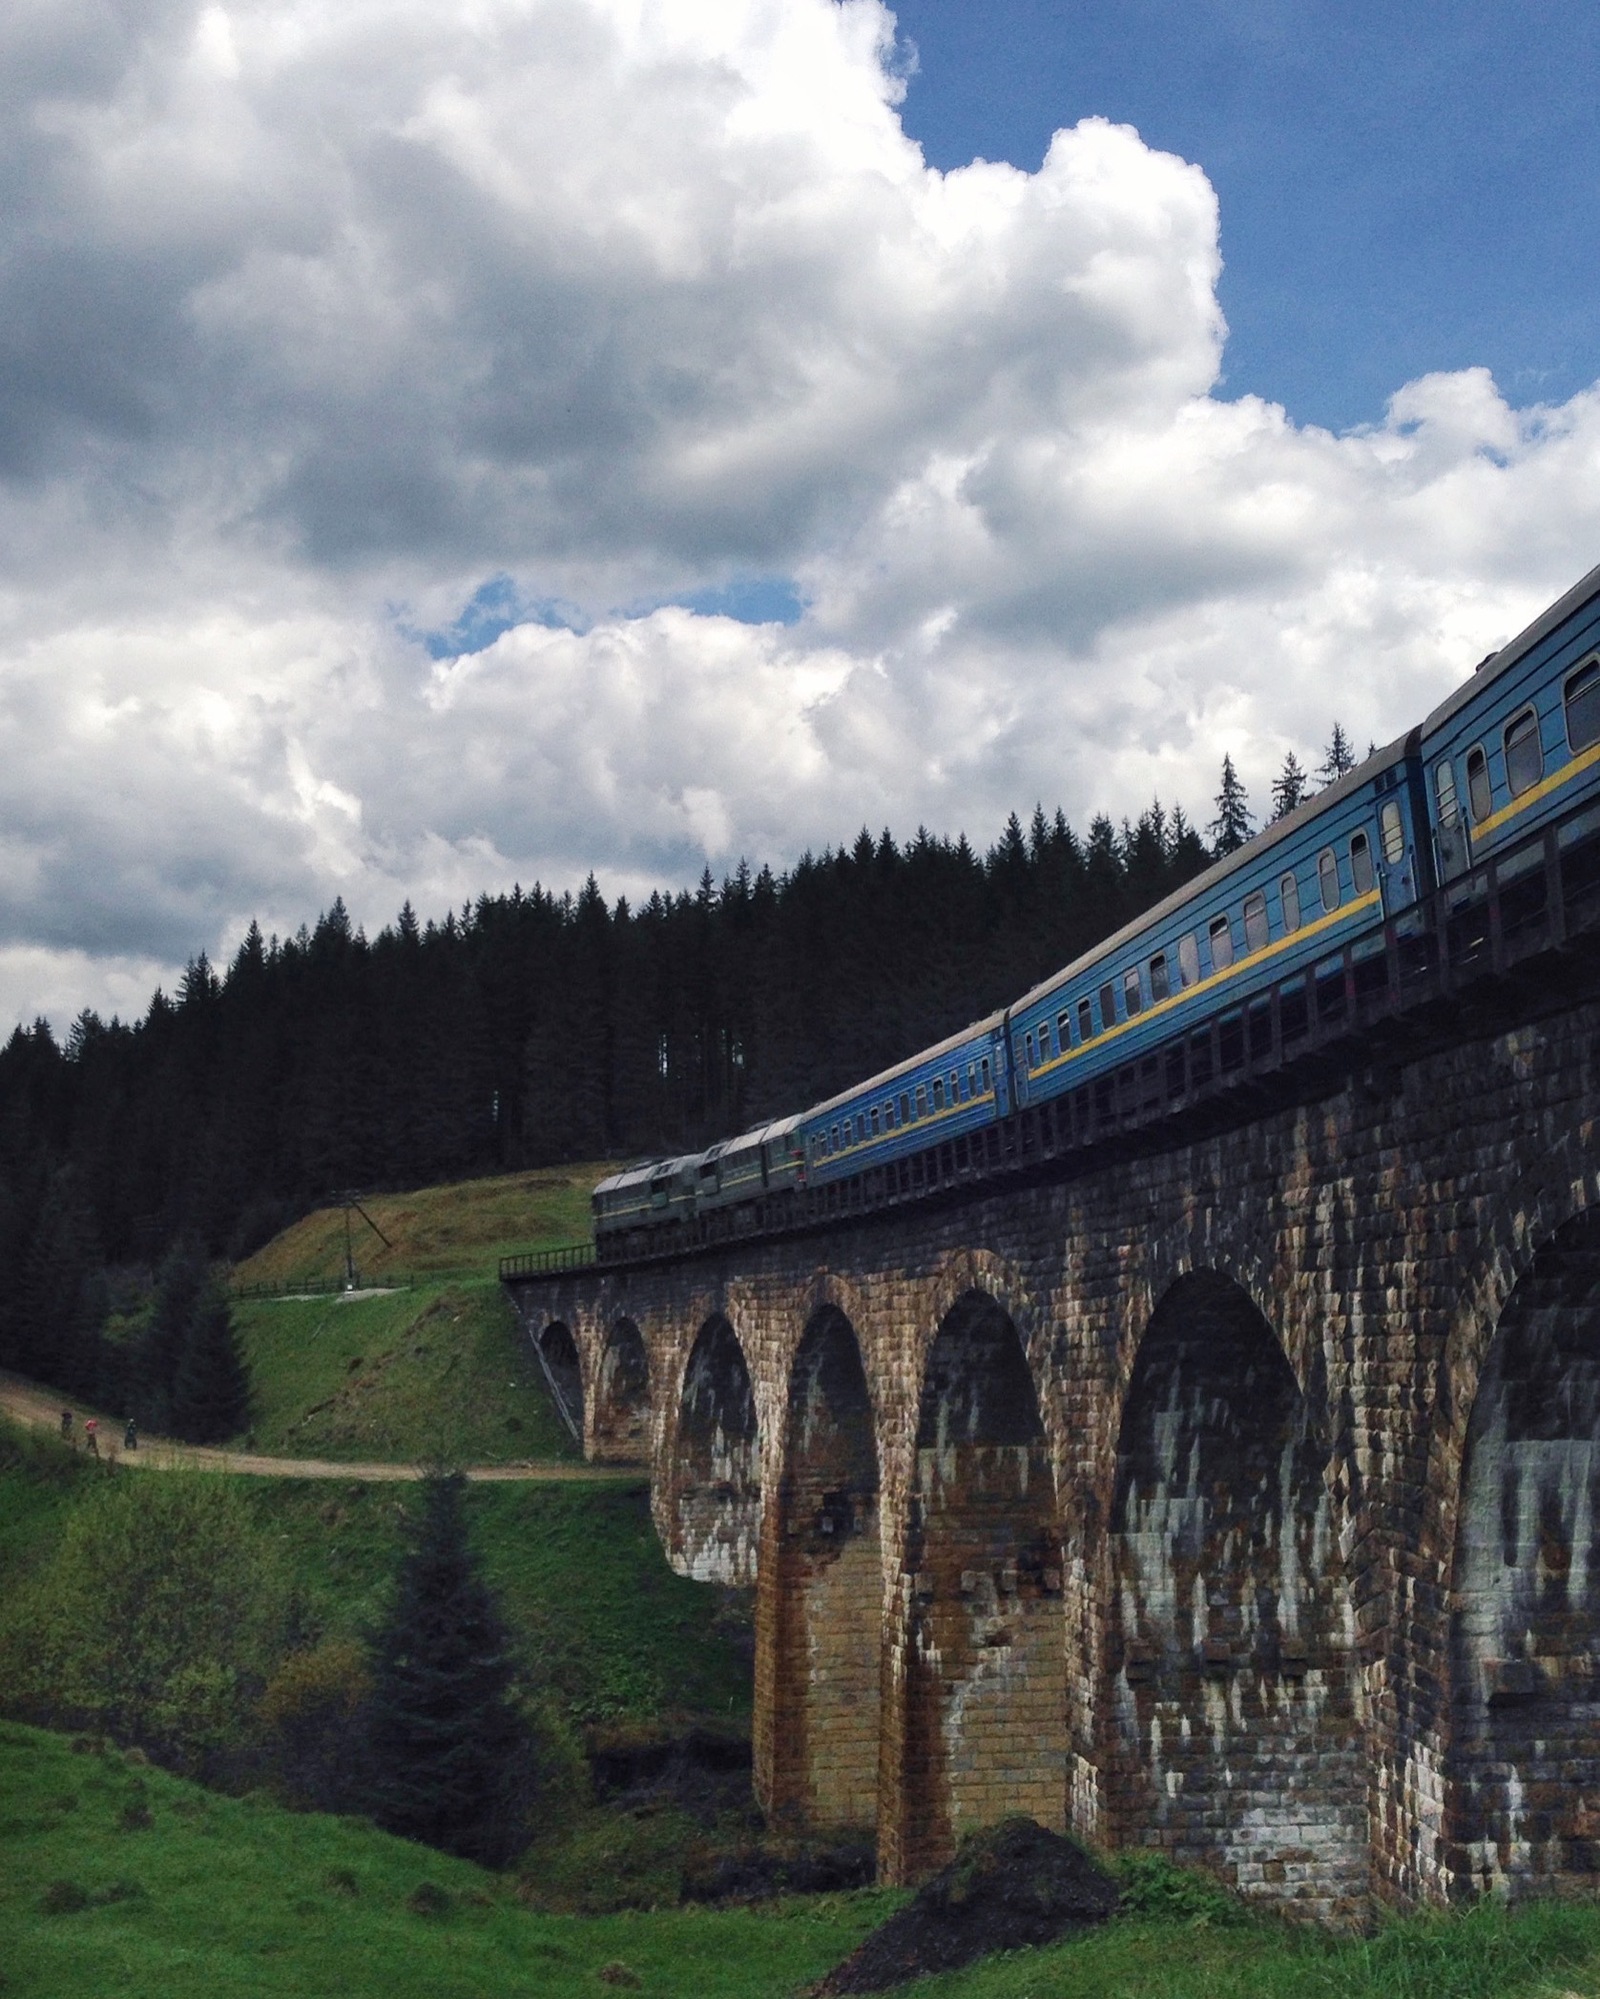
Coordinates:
<point>449,443</point>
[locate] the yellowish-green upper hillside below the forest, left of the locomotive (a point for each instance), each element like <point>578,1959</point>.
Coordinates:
<point>437,1232</point>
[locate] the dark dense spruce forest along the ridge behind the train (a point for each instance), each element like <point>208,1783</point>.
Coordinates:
<point>523,1030</point>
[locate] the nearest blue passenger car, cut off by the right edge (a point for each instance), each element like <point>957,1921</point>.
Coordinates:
<point>1519,745</point>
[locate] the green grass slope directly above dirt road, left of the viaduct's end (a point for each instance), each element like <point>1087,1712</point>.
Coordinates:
<point>431,1374</point>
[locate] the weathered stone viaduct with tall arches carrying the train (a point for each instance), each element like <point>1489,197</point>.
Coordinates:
<point>1237,1498</point>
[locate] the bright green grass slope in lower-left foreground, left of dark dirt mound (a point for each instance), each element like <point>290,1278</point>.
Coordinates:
<point>235,1896</point>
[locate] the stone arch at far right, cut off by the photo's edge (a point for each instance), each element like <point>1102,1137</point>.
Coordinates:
<point>1523,1778</point>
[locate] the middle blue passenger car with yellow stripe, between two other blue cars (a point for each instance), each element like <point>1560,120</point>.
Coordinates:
<point>1287,903</point>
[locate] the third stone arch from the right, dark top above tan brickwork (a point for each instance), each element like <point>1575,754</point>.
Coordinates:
<point>985,1658</point>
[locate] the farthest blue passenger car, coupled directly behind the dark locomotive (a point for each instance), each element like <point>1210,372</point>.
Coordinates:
<point>945,1092</point>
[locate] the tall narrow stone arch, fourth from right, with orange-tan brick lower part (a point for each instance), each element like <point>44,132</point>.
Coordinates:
<point>827,1588</point>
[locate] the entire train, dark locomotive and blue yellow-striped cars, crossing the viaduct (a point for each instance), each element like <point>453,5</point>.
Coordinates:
<point>1427,863</point>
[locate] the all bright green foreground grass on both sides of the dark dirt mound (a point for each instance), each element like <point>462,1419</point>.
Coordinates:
<point>121,1878</point>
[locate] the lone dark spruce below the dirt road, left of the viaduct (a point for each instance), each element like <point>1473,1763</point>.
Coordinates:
<point>451,1758</point>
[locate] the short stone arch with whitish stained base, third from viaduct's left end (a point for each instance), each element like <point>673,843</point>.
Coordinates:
<point>717,1472</point>
